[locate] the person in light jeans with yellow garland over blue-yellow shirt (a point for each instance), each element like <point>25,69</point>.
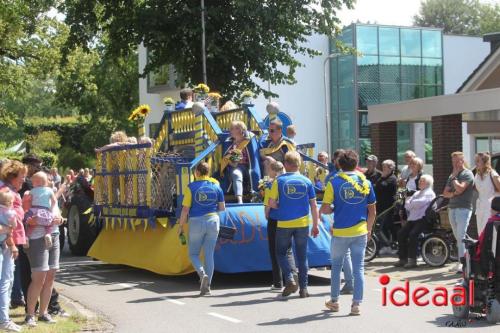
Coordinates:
<point>353,200</point>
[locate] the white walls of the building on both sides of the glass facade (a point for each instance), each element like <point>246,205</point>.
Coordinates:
<point>304,102</point>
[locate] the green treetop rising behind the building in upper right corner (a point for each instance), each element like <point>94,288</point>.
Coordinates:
<point>461,17</point>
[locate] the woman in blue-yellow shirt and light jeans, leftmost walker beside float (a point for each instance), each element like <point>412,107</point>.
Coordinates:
<point>202,202</point>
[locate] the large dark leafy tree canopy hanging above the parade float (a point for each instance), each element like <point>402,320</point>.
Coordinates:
<point>244,38</point>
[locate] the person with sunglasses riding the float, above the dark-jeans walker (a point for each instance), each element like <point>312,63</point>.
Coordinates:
<point>275,146</point>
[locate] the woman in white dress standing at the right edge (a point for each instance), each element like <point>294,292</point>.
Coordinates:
<point>487,184</point>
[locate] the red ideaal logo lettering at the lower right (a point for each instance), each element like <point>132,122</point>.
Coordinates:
<point>423,296</point>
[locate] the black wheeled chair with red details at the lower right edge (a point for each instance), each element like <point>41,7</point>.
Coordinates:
<point>482,267</point>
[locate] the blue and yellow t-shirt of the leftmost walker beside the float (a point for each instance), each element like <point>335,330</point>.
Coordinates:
<point>203,197</point>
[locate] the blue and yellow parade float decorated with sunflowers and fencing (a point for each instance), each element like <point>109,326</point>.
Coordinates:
<point>138,190</point>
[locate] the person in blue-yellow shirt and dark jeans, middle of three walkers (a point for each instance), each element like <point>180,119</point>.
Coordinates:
<point>294,198</point>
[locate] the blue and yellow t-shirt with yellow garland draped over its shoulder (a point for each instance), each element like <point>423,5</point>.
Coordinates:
<point>350,206</point>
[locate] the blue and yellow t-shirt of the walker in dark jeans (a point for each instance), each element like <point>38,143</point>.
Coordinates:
<point>293,193</point>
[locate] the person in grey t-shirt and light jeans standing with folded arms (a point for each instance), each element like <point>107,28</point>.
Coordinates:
<point>459,189</point>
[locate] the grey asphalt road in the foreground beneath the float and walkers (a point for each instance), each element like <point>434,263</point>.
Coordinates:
<point>139,301</point>
